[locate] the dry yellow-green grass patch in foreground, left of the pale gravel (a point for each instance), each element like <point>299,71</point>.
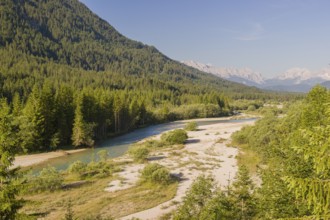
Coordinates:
<point>92,198</point>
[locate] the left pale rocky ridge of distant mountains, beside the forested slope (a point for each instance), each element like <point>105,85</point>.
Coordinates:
<point>240,75</point>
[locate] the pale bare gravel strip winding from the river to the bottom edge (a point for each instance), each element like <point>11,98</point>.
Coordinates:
<point>205,153</point>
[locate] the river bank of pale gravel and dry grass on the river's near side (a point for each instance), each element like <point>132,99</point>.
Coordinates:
<point>122,196</point>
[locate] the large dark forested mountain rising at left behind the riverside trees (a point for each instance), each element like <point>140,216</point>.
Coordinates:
<point>66,34</point>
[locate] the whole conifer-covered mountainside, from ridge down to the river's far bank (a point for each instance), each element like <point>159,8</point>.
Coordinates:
<point>70,78</point>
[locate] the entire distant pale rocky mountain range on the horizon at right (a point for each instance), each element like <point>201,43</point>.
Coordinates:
<point>293,80</point>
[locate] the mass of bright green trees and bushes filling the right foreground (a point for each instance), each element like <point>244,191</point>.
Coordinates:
<point>291,160</point>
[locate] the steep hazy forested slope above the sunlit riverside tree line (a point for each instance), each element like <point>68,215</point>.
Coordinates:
<point>68,33</point>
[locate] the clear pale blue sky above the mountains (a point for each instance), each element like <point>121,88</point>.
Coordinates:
<point>268,36</point>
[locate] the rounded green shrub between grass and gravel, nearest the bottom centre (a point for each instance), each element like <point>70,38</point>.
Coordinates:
<point>156,173</point>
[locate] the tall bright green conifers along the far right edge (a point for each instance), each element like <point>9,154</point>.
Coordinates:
<point>312,144</point>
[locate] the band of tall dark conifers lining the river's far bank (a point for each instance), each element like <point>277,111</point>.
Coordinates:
<point>52,117</point>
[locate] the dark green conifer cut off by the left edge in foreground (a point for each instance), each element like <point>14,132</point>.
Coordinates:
<point>9,184</point>
